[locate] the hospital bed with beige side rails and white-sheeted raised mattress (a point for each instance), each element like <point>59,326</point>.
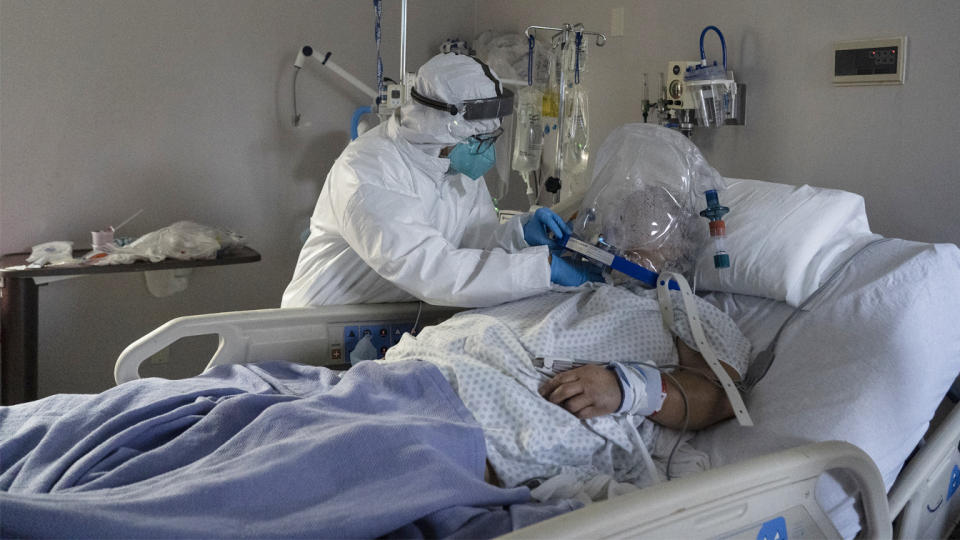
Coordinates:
<point>846,438</point>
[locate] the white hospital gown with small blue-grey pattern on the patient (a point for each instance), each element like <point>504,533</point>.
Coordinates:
<point>486,355</point>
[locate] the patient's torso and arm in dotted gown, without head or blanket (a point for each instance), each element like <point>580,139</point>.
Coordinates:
<point>532,436</point>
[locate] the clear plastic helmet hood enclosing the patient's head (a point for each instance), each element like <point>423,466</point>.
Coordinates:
<point>643,204</point>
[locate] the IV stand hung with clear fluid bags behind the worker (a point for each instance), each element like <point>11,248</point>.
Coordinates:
<point>562,117</point>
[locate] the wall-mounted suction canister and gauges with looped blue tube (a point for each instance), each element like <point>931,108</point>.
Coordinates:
<point>699,93</point>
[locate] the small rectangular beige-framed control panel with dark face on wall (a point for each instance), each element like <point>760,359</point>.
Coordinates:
<point>872,61</point>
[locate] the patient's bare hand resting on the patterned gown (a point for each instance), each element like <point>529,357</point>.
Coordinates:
<point>585,391</point>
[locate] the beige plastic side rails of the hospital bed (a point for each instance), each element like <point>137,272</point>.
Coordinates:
<point>764,498</point>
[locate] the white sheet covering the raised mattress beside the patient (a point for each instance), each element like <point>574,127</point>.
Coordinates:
<point>868,364</point>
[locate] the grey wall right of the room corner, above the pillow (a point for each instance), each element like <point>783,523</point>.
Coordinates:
<point>896,145</point>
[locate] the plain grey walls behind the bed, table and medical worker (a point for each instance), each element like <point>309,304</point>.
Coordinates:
<point>182,107</point>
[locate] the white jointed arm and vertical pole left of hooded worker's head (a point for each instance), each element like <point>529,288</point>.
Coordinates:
<point>387,97</point>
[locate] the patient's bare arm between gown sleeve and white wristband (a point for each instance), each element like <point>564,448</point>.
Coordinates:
<point>705,398</point>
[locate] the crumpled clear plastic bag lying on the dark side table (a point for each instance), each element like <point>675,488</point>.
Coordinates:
<point>184,240</point>
